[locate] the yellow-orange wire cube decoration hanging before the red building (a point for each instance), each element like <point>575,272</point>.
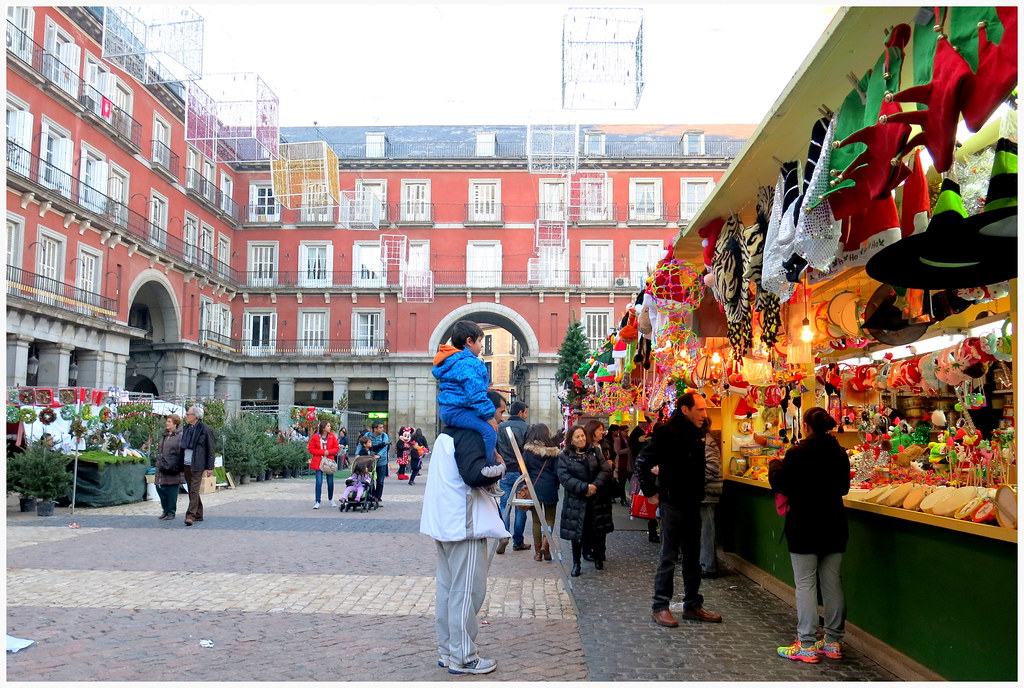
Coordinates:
<point>306,176</point>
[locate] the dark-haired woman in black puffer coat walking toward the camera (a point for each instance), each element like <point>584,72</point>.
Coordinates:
<point>586,515</point>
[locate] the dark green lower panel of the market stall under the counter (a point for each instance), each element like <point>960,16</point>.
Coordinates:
<point>946,599</point>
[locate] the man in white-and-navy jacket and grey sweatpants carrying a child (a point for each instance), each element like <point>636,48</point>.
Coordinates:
<point>460,518</point>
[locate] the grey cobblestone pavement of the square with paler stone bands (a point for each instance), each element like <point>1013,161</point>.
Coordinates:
<point>287,593</point>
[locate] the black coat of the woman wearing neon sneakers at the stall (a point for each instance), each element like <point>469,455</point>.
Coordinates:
<point>815,476</point>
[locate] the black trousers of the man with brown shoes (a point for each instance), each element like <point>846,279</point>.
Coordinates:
<point>680,533</point>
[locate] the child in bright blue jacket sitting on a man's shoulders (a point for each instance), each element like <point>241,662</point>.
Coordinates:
<point>462,398</point>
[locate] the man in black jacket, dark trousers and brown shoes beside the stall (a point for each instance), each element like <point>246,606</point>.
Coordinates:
<point>676,456</point>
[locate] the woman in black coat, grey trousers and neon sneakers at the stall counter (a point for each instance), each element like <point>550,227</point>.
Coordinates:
<point>815,476</point>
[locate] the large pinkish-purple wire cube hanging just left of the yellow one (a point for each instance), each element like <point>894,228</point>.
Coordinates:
<point>233,118</point>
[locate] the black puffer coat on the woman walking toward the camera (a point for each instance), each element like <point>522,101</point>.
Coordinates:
<point>576,472</point>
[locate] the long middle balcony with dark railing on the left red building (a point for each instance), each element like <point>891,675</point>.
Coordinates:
<point>93,203</point>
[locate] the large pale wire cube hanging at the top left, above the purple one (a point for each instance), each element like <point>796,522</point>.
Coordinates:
<point>156,45</point>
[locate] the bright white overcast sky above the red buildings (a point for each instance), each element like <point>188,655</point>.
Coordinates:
<point>392,64</point>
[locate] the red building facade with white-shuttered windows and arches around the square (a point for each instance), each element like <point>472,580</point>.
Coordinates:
<point>136,262</point>
